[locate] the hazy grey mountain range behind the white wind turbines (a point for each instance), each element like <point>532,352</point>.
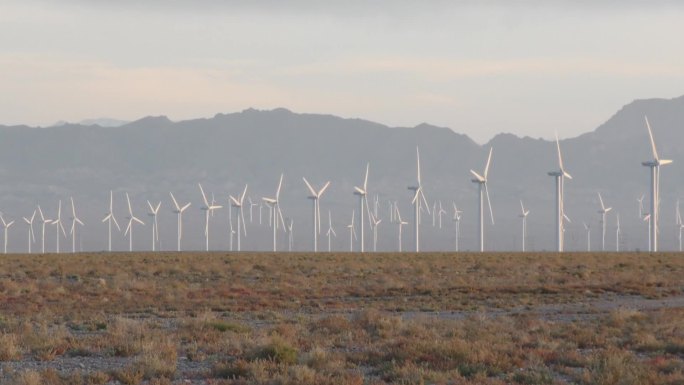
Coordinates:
<point>154,155</point>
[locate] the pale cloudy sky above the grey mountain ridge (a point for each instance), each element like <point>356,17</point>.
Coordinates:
<point>527,67</point>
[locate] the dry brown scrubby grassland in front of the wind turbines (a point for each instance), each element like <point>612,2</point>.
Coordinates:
<point>258,318</point>
